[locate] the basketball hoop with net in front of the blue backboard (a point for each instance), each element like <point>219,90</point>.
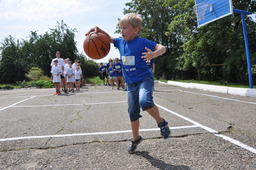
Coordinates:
<point>201,9</point>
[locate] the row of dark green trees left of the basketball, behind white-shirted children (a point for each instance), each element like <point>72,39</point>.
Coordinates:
<point>19,56</point>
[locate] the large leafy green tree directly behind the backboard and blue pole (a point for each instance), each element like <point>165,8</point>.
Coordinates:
<point>212,52</point>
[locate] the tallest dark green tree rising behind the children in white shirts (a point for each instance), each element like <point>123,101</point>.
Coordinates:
<point>45,46</point>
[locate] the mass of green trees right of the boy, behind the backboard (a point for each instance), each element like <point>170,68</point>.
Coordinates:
<point>214,52</point>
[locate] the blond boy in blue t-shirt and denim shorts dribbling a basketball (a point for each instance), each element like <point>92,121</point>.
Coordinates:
<point>135,52</point>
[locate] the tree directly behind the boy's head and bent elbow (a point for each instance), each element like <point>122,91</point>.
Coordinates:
<point>156,18</point>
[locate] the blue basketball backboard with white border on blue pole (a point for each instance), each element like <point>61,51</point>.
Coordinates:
<point>211,10</point>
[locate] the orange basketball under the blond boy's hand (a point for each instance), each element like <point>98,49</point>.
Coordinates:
<point>96,45</point>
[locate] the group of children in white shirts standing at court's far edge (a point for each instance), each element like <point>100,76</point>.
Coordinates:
<point>65,74</point>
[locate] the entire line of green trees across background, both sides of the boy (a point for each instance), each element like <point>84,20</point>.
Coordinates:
<point>214,52</point>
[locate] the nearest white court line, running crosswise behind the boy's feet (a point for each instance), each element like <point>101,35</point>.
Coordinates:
<point>89,134</point>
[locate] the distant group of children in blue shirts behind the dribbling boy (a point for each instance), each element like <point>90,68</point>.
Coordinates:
<point>113,74</point>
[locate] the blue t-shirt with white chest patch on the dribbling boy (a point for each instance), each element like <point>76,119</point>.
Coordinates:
<point>134,67</point>
